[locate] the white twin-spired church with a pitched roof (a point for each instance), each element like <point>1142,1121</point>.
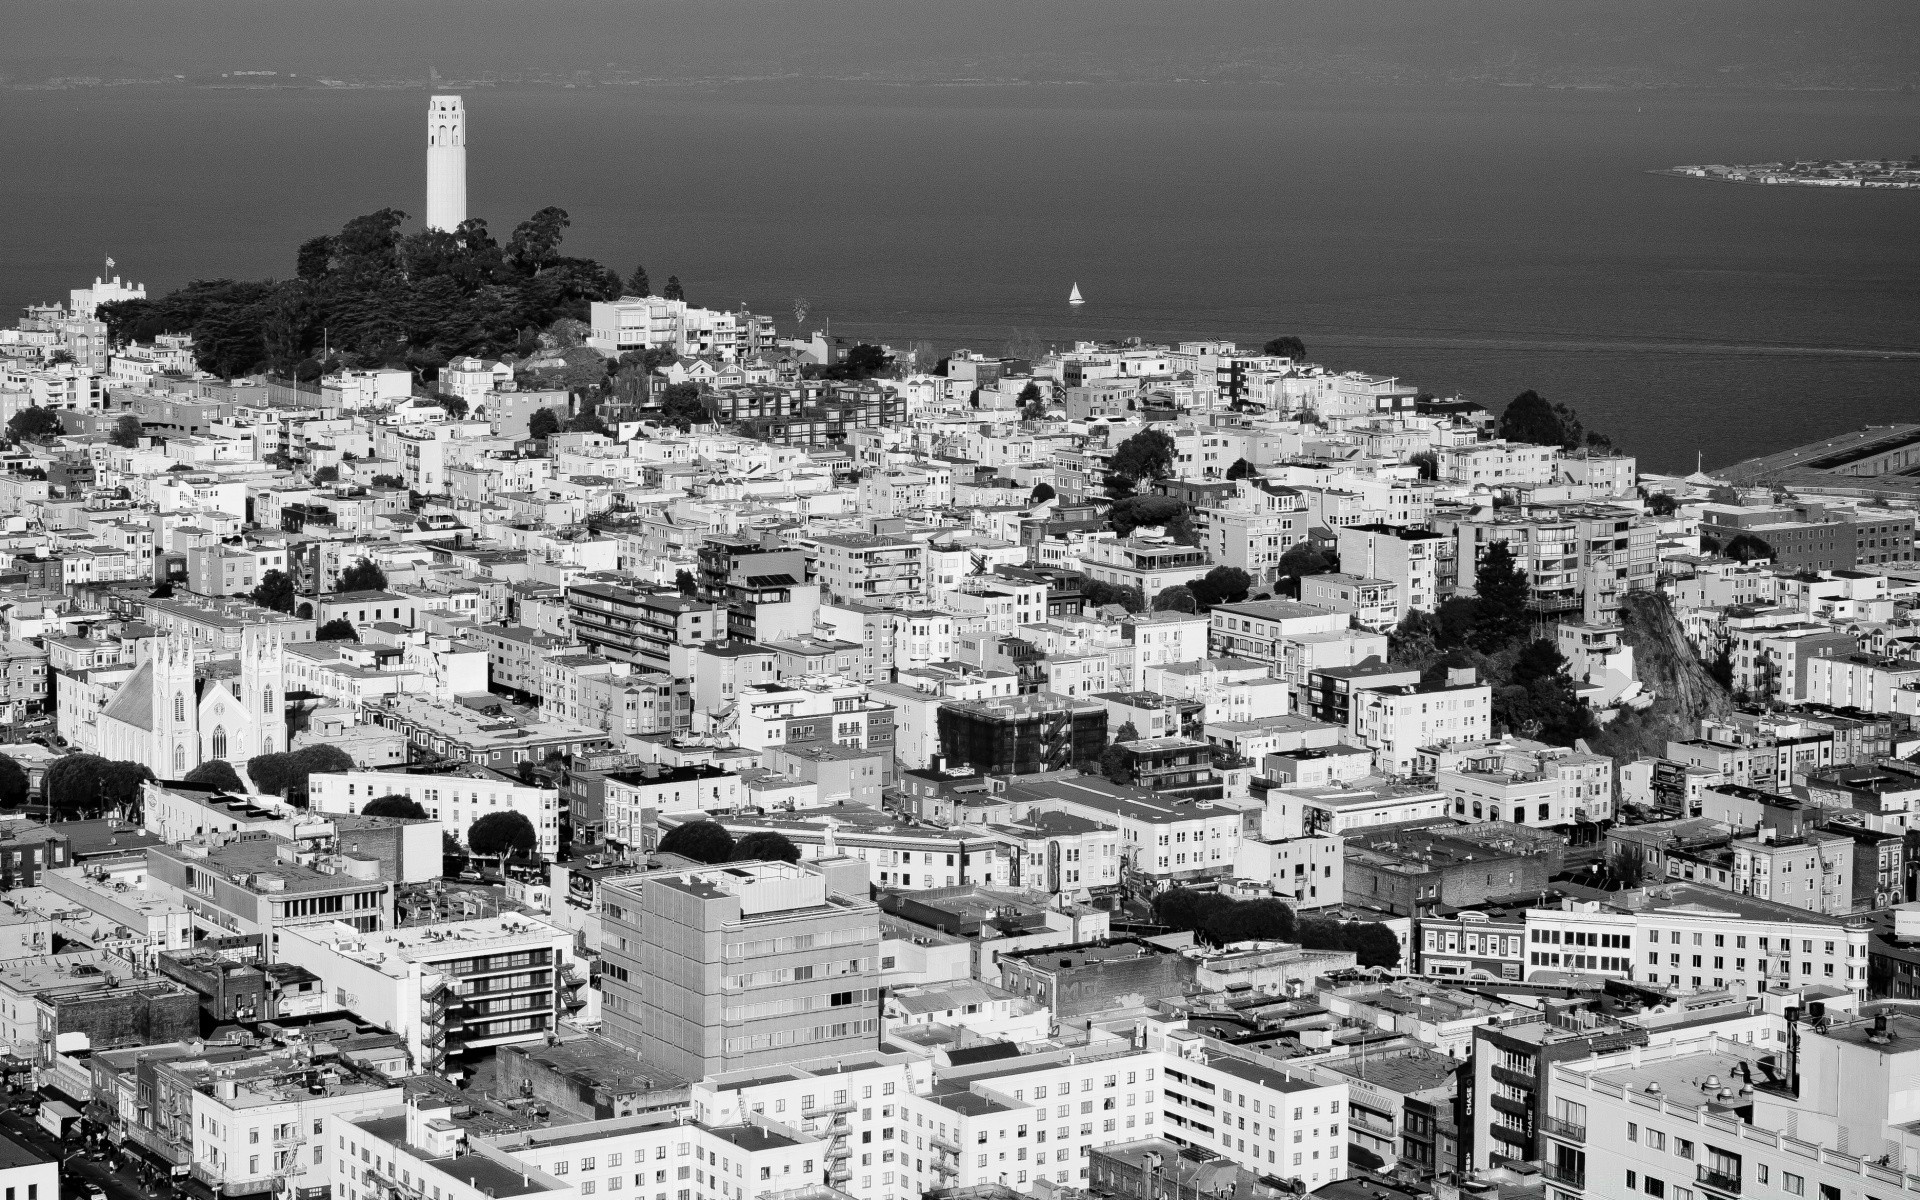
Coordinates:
<point>176,713</point>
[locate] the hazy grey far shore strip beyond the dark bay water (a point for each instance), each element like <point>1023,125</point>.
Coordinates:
<point>1723,43</point>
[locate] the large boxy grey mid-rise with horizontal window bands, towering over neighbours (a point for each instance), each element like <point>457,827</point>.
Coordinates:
<point>744,965</point>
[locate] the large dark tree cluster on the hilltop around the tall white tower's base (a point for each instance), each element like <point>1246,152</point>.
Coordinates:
<point>375,297</point>
